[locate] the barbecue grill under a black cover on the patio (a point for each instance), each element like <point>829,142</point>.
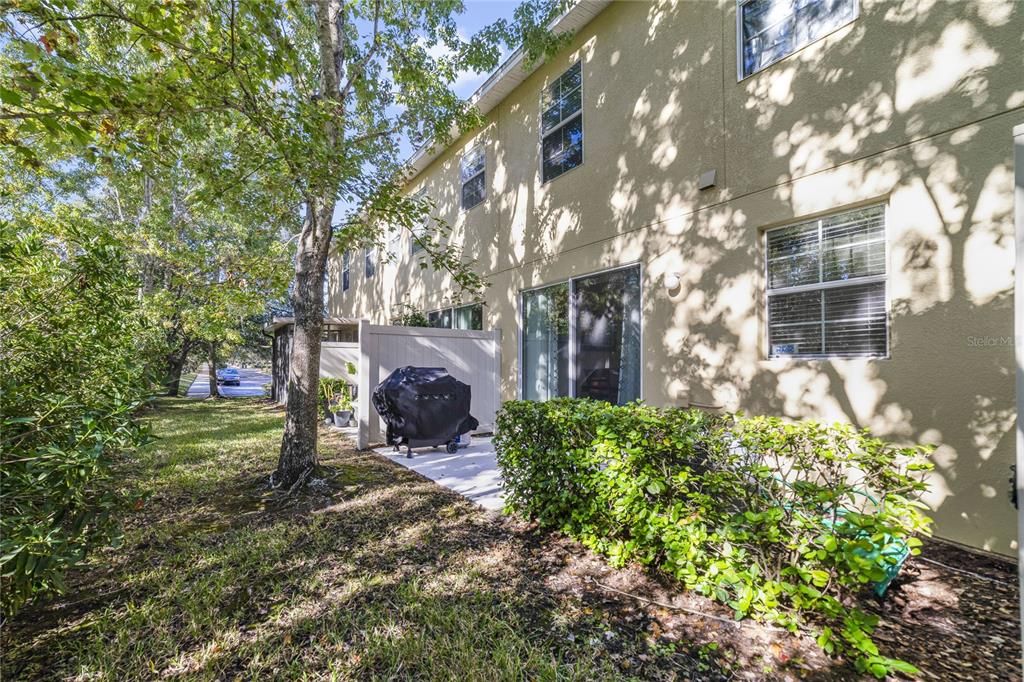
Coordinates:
<point>423,406</point>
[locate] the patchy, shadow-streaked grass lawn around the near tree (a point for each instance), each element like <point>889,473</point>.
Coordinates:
<point>375,574</point>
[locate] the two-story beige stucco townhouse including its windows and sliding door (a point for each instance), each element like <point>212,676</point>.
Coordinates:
<point>791,207</point>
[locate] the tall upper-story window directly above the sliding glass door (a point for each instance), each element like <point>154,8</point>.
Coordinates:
<point>562,124</point>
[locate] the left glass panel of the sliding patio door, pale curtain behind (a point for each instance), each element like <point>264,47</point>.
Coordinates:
<point>546,344</point>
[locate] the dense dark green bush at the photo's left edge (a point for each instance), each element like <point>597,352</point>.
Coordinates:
<point>71,385</point>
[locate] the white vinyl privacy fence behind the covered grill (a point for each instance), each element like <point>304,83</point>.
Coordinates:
<point>473,358</point>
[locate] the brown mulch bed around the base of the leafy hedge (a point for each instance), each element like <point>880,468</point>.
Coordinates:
<point>952,613</point>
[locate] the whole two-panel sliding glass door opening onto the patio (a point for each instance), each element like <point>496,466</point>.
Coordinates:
<point>582,338</point>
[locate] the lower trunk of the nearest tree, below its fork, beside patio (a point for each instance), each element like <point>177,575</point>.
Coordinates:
<point>298,446</point>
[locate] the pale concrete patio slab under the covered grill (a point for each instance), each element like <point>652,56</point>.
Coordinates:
<point>472,473</point>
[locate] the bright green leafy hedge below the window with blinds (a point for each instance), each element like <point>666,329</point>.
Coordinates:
<point>789,523</point>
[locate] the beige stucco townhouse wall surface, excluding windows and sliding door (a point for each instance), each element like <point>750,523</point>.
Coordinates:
<point>911,106</point>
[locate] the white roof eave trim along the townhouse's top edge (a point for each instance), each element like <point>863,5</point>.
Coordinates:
<point>509,76</point>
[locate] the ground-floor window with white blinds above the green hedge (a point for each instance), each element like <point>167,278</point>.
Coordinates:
<point>827,287</point>
